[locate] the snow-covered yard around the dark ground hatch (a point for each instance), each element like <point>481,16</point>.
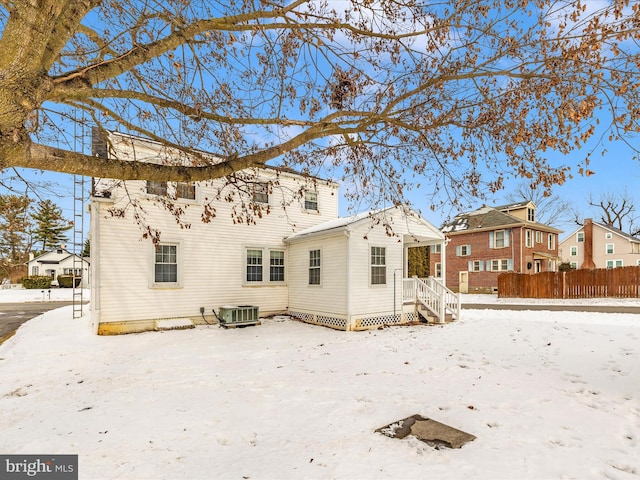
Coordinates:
<point>549,395</point>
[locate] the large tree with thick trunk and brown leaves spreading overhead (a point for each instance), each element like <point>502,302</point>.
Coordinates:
<point>391,94</point>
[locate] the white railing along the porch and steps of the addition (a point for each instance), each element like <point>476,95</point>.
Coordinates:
<point>433,295</point>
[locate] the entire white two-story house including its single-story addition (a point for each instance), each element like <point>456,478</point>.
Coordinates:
<point>197,267</point>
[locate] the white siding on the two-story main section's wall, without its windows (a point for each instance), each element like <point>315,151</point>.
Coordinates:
<point>211,277</point>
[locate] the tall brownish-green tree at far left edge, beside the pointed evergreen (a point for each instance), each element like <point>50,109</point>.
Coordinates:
<point>15,225</point>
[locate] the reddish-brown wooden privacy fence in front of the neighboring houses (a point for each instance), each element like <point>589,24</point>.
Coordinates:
<point>599,282</point>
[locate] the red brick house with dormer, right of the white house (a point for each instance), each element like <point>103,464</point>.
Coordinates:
<point>491,240</point>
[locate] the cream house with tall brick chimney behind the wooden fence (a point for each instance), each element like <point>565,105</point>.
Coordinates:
<point>596,245</point>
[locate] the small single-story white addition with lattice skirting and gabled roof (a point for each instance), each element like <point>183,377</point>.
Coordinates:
<point>349,273</point>
